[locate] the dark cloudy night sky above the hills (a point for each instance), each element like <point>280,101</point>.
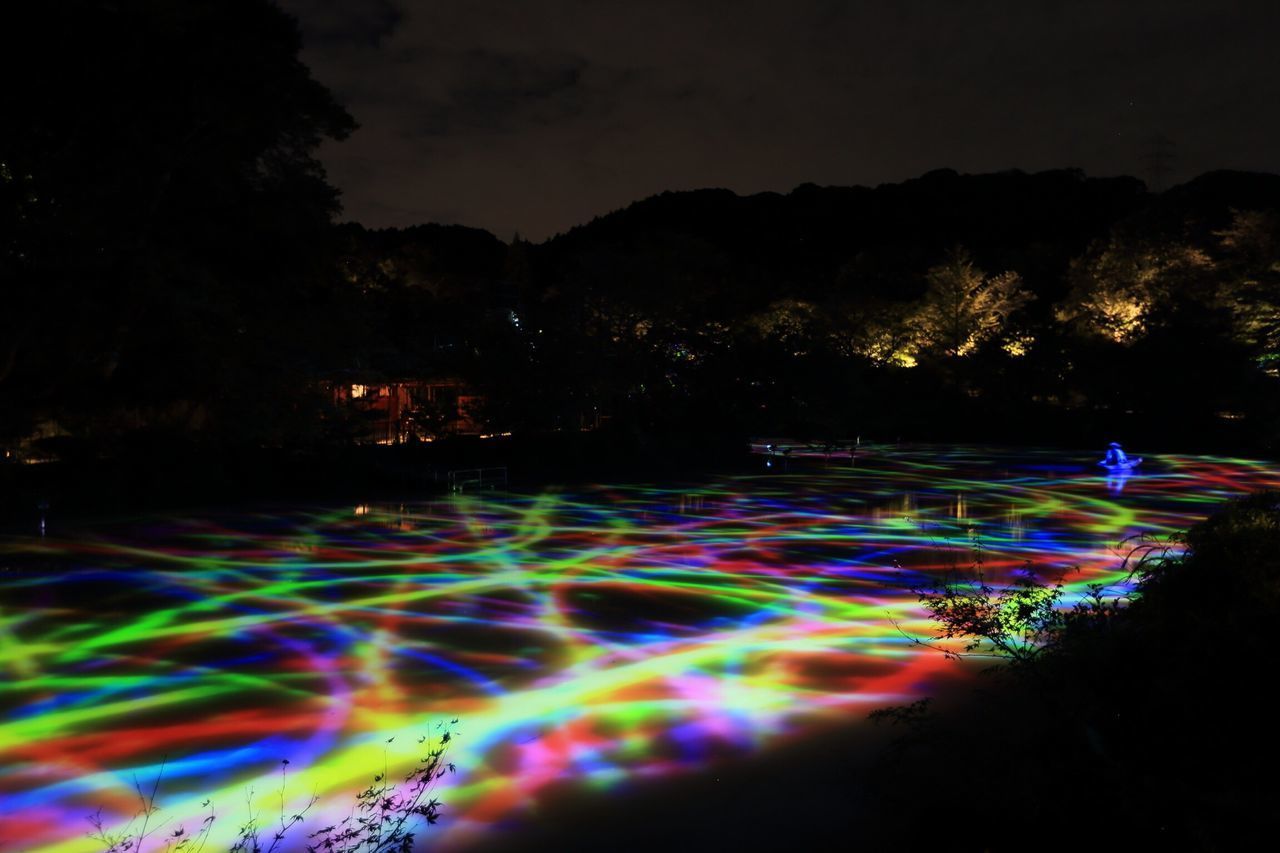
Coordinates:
<point>538,116</point>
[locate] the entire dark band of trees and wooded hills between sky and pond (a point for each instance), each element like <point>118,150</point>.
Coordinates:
<point>173,276</point>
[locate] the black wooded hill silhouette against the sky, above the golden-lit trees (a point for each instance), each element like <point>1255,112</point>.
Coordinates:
<point>711,252</point>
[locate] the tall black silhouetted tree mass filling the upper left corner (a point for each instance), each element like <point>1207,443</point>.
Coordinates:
<point>164,221</point>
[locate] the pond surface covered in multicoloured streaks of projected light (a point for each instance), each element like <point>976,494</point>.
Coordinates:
<point>584,638</point>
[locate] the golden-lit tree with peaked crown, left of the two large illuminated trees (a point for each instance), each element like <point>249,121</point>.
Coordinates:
<point>964,308</point>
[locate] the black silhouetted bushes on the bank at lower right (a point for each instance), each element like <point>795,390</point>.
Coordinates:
<point>1150,700</point>
